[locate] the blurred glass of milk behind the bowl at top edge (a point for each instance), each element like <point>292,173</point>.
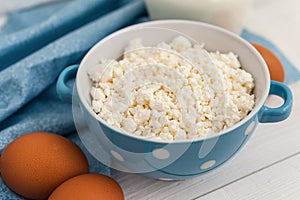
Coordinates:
<point>229,14</point>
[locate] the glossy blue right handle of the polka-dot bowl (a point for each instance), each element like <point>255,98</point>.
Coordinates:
<point>269,115</point>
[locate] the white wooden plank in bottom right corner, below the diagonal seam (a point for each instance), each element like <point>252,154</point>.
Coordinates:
<point>278,182</point>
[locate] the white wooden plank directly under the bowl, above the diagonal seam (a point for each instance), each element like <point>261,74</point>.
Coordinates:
<point>270,145</point>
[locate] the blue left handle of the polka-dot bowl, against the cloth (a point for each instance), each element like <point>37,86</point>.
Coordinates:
<point>63,90</point>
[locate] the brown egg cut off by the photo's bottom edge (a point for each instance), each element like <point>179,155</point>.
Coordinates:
<point>88,186</point>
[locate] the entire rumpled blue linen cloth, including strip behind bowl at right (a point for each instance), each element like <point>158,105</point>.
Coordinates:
<point>28,101</point>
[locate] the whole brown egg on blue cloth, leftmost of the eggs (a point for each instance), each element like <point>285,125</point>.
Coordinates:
<point>34,164</point>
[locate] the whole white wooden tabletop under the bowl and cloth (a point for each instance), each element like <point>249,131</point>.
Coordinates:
<point>268,167</point>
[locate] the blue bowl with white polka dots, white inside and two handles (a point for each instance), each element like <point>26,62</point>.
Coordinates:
<point>179,159</point>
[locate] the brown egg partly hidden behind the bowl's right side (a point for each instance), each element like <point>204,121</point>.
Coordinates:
<point>275,67</point>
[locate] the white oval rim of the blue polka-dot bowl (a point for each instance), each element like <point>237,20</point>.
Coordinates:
<point>258,105</point>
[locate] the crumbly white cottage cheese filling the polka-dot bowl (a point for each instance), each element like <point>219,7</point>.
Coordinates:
<point>174,91</point>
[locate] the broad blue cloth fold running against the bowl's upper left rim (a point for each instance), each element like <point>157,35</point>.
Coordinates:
<point>30,76</point>
